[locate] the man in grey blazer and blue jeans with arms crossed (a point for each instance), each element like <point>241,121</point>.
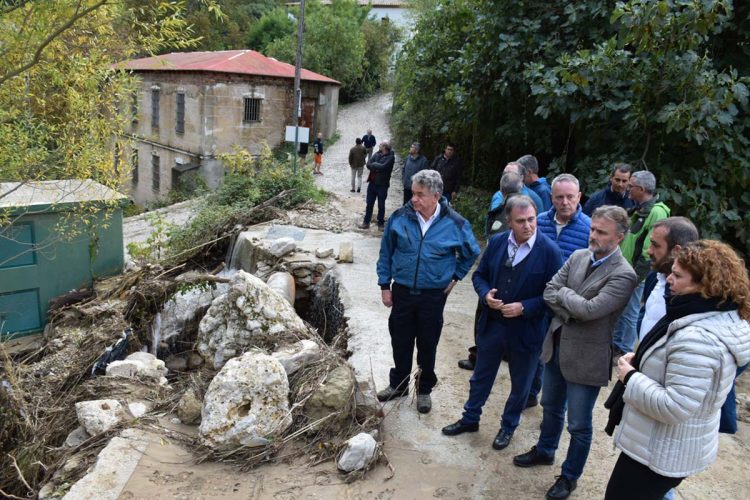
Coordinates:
<point>586,296</point>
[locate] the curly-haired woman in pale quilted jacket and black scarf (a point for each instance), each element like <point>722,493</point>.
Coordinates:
<point>677,381</point>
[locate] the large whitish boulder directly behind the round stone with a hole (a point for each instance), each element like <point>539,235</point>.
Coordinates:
<point>250,311</point>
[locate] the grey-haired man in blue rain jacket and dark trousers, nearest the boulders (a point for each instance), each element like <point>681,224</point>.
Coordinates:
<point>427,247</point>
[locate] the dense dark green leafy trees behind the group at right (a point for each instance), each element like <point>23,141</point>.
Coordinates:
<point>660,84</point>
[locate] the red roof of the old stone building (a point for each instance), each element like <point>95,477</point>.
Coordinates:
<point>244,62</point>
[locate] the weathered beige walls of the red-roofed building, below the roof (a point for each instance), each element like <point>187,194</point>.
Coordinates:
<point>214,108</point>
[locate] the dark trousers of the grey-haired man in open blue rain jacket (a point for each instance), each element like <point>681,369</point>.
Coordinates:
<point>416,317</point>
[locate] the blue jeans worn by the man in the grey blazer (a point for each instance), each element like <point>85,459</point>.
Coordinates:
<point>579,399</point>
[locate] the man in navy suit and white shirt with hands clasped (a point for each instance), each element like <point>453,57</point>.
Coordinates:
<point>510,281</point>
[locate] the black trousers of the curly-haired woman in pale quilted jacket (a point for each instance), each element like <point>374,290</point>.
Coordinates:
<point>631,479</point>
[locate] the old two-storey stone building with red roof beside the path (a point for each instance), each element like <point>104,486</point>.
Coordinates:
<point>193,106</point>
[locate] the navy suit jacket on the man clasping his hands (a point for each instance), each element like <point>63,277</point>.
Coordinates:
<point>526,332</point>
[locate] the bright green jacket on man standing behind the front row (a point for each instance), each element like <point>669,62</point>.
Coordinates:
<point>638,239</point>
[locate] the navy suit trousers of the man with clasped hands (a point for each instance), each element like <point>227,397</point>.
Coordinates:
<point>491,347</point>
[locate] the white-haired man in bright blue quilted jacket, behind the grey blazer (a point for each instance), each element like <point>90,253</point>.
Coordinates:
<point>566,225</point>
